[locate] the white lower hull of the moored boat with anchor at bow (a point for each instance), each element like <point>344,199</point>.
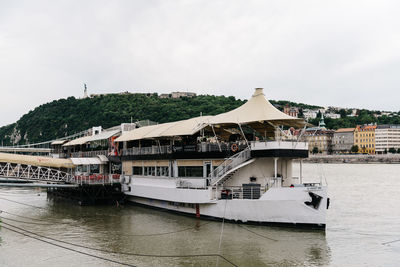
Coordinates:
<point>278,206</point>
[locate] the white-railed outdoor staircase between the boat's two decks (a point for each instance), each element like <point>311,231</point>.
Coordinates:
<point>230,166</point>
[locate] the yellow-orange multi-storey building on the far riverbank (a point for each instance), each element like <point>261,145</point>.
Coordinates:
<point>364,138</point>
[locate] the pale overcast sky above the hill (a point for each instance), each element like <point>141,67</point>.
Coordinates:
<point>340,53</point>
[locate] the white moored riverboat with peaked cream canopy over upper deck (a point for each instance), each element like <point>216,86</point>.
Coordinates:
<point>235,166</point>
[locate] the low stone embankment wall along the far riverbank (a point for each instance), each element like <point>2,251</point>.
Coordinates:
<point>388,159</point>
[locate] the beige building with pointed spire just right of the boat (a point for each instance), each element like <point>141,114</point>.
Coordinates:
<point>319,138</point>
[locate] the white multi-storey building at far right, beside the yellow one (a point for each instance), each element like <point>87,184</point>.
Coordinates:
<point>387,137</point>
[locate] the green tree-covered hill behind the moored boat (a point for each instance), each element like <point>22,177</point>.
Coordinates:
<point>68,116</point>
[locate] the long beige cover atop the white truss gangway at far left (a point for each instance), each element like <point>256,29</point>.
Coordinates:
<point>36,160</point>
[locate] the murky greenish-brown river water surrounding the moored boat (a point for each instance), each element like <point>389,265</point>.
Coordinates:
<point>363,226</point>
